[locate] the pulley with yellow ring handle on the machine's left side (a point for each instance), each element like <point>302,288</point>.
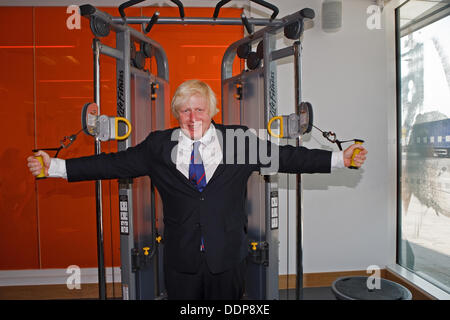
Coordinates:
<point>103,127</point>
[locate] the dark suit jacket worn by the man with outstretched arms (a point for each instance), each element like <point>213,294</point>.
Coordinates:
<point>217,213</point>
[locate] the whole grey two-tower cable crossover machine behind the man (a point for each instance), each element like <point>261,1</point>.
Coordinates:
<point>249,98</point>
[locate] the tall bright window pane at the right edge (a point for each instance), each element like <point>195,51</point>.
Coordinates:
<point>424,229</point>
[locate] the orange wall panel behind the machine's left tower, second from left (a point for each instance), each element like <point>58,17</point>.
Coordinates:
<point>64,82</point>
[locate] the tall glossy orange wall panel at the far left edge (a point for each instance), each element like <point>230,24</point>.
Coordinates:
<point>18,220</point>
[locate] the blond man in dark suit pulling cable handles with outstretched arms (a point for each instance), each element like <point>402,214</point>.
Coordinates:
<point>201,171</point>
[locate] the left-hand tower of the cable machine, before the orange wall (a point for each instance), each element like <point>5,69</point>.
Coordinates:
<point>141,99</point>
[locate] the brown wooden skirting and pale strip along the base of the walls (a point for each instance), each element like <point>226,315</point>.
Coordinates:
<point>51,283</point>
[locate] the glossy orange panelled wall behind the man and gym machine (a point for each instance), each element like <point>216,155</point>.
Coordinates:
<point>46,78</point>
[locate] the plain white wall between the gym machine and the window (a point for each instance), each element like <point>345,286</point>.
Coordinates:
<point>349,216</point>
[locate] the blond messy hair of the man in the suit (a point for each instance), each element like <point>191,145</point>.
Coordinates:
<point>190,88</point>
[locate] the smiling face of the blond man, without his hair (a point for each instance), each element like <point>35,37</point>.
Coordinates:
<point>194,117</point>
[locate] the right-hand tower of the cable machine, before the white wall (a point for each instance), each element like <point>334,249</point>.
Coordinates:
<point>250,99</point>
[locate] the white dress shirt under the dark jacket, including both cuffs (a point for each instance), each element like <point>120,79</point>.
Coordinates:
<point>210,151</point>
